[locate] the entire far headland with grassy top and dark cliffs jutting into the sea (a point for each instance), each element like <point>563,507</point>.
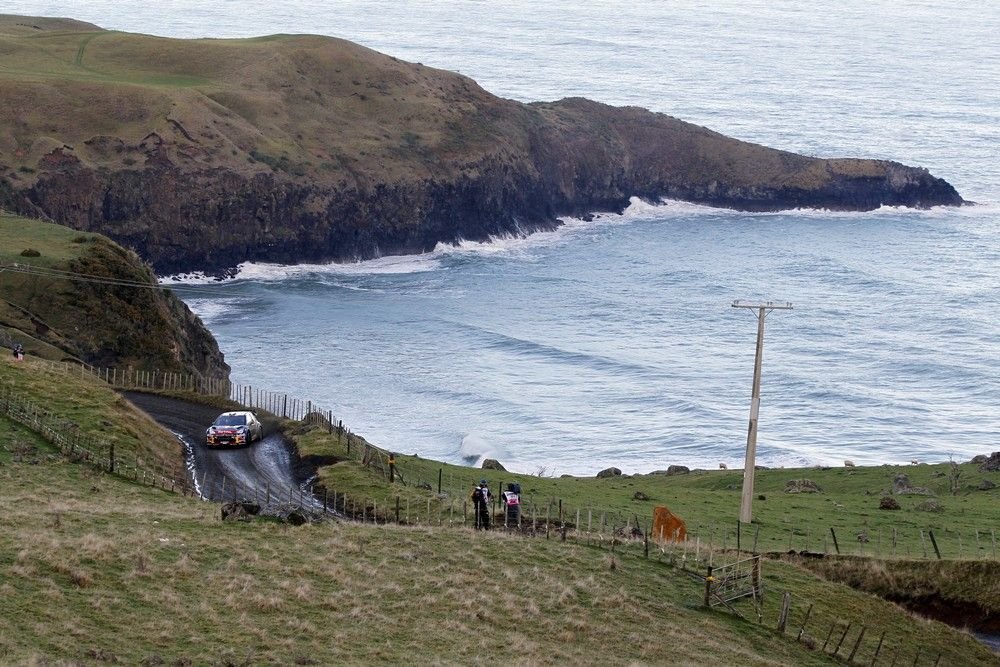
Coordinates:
<point>201,154</point>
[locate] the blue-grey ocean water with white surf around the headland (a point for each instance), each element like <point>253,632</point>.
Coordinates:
<point>613,341</point>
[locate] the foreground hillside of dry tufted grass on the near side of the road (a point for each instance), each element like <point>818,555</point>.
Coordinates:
<point>80,551</point>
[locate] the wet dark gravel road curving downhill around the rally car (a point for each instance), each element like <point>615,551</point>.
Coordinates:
<point>265,471</point>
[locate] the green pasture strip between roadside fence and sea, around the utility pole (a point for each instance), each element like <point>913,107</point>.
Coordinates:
<point>951,501</point>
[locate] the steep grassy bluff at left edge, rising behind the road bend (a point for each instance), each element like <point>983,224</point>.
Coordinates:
<point>84,316</point>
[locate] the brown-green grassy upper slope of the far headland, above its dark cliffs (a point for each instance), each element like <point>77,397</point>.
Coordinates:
<point>296,104</point>
